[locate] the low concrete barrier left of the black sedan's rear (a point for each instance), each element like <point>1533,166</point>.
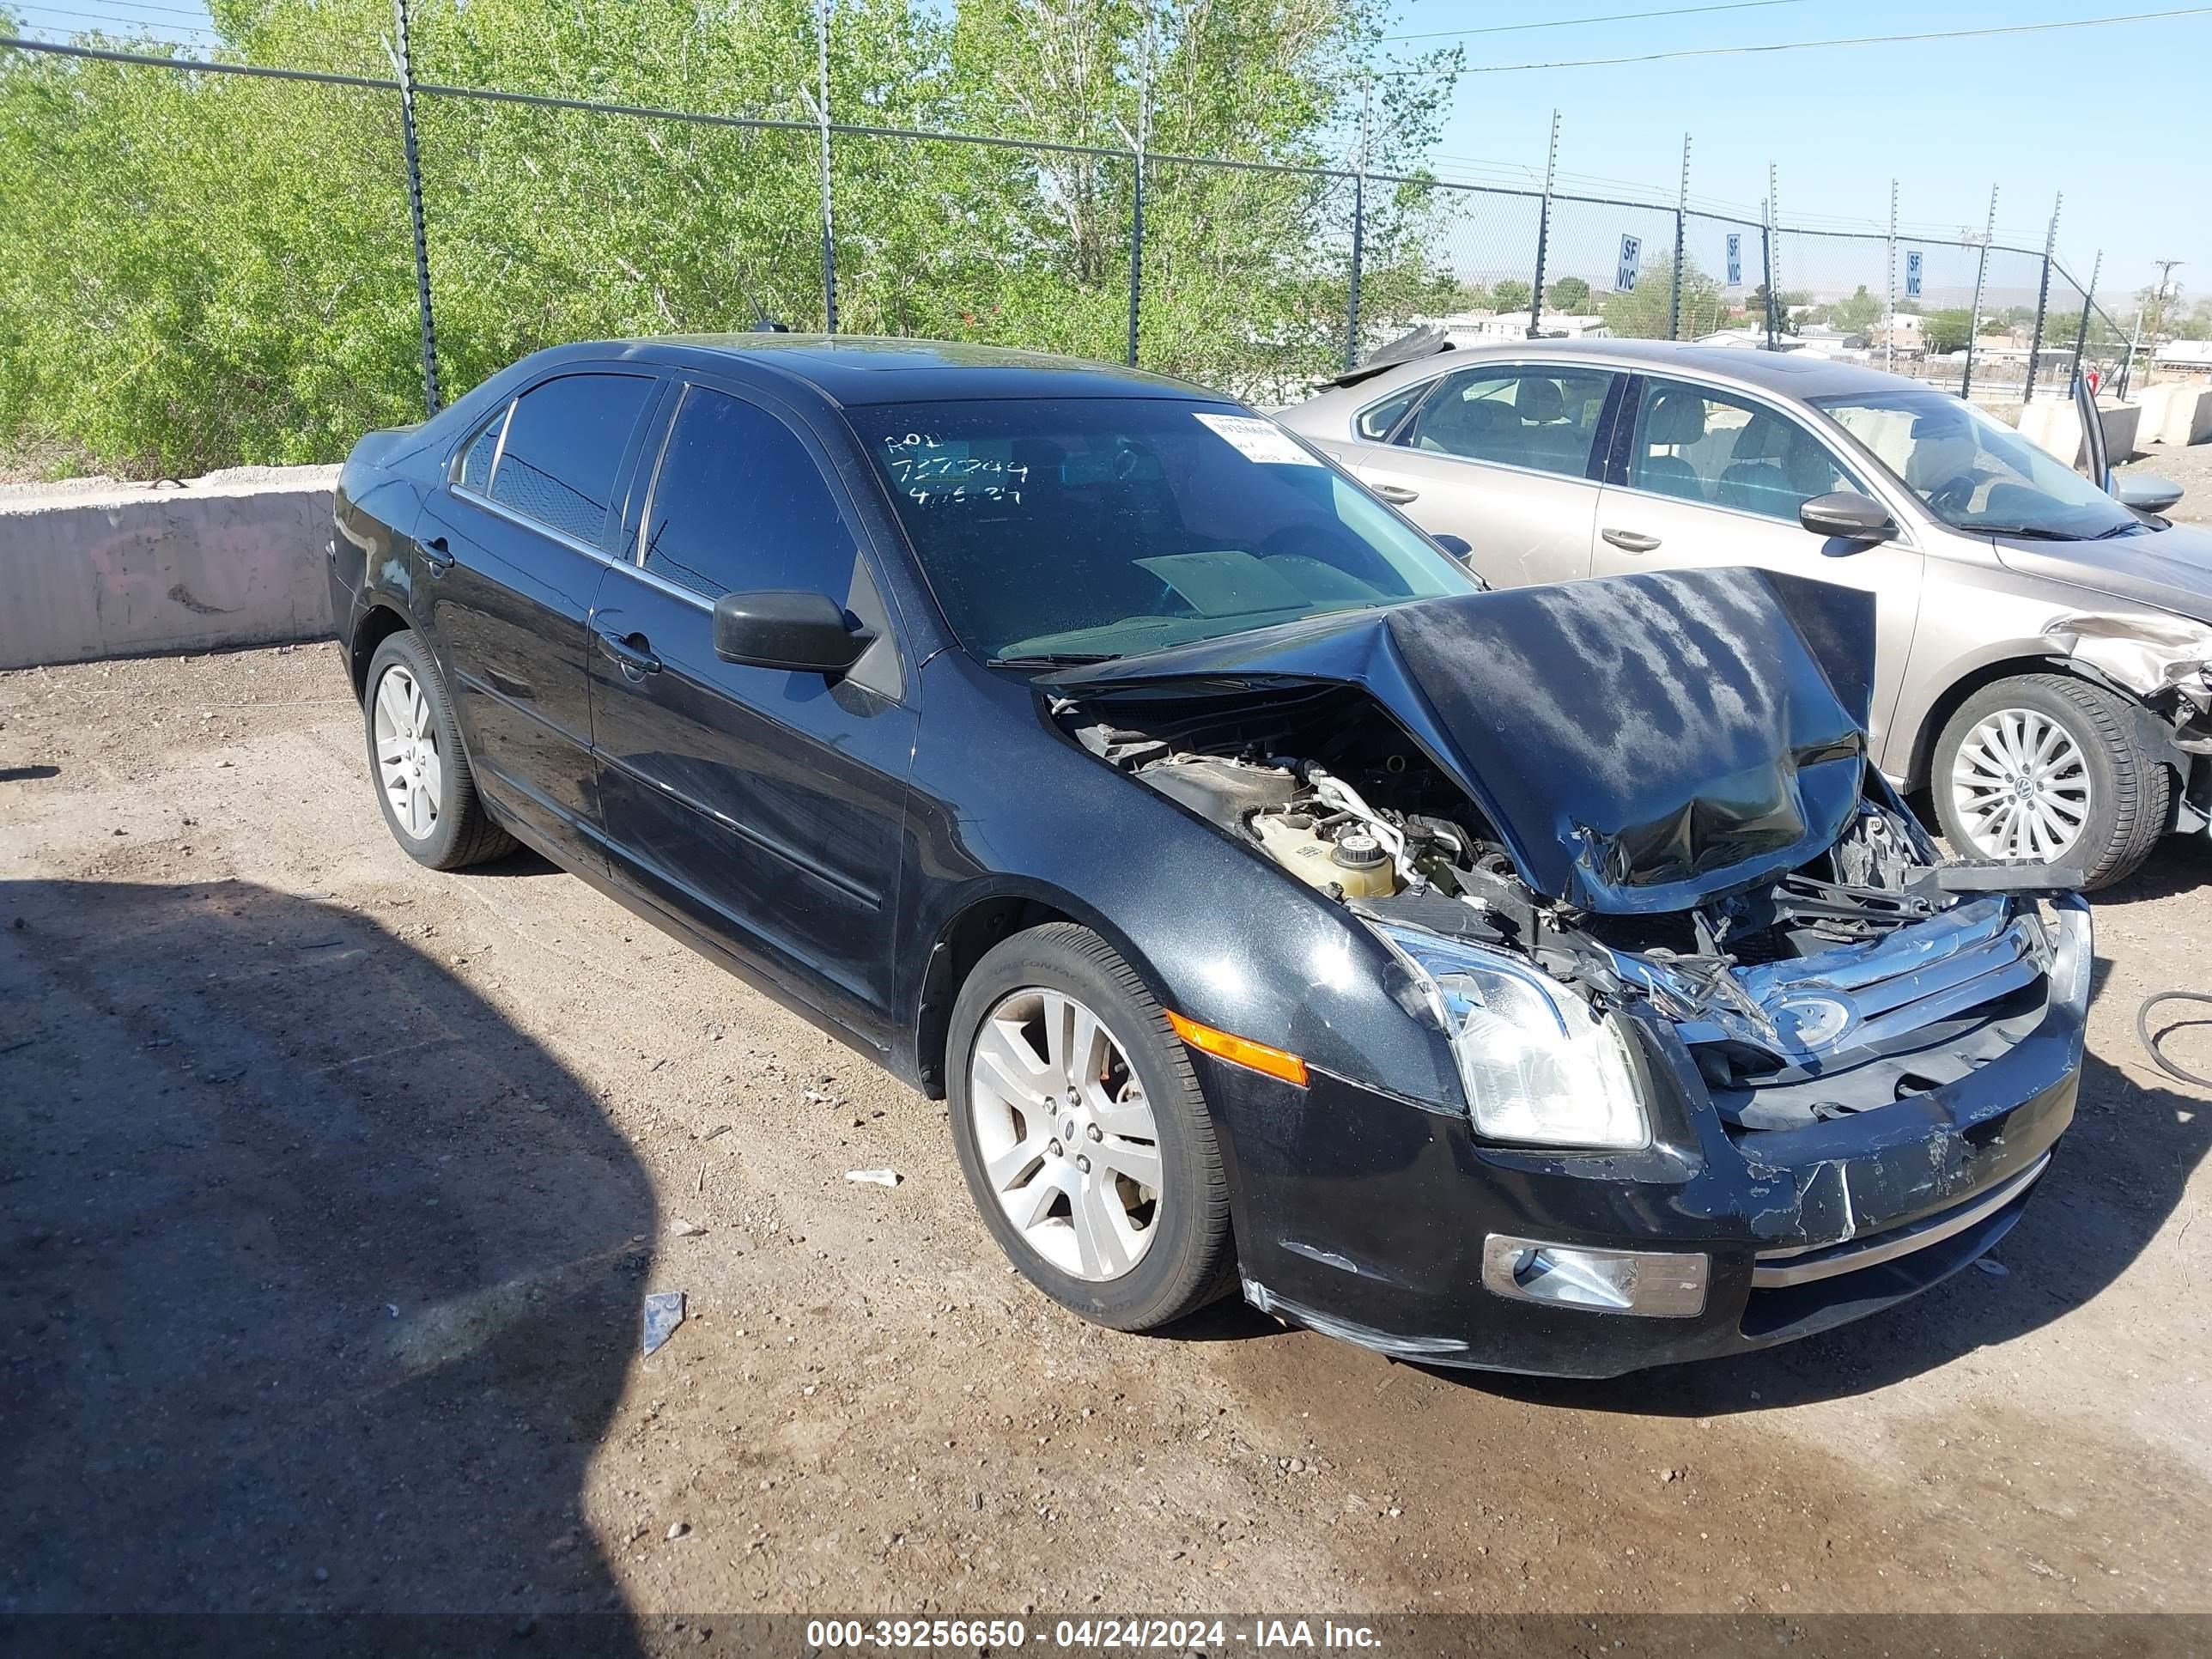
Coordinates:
<point>134,570</point>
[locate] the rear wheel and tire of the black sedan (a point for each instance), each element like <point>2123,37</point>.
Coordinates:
<point>417,764</point>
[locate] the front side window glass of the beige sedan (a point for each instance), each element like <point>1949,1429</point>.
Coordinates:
<point>1726,452</point>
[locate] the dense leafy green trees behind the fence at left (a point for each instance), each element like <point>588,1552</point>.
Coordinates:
<point>211,269</point>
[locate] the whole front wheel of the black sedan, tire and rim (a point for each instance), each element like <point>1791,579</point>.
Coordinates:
<point>1083,1134</point>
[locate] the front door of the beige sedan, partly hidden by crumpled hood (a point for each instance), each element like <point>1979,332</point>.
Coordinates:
<point>1713,477</point>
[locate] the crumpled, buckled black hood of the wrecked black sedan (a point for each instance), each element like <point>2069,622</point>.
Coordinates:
<point>1638,742</point>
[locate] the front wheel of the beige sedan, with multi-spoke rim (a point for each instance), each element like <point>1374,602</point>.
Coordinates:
<point>2049,769</point>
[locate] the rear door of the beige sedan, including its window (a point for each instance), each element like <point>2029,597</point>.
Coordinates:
<point>1503,455</point>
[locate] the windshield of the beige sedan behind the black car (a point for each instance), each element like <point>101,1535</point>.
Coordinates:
<point>1974,472</point>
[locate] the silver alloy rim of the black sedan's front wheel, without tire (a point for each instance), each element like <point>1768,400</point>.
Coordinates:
<point>1065,1134</point>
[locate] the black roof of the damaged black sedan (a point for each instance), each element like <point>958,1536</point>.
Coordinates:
<point>859,371</point>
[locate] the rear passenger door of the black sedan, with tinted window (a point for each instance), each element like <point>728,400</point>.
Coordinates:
<point>512,556</point>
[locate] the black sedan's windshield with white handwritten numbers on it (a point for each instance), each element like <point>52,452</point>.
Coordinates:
<point>1098,528</point>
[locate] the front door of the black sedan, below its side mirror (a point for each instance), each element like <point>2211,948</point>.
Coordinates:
<point>766,808</point>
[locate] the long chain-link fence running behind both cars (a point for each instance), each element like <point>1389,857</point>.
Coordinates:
<point>550,220</point>
